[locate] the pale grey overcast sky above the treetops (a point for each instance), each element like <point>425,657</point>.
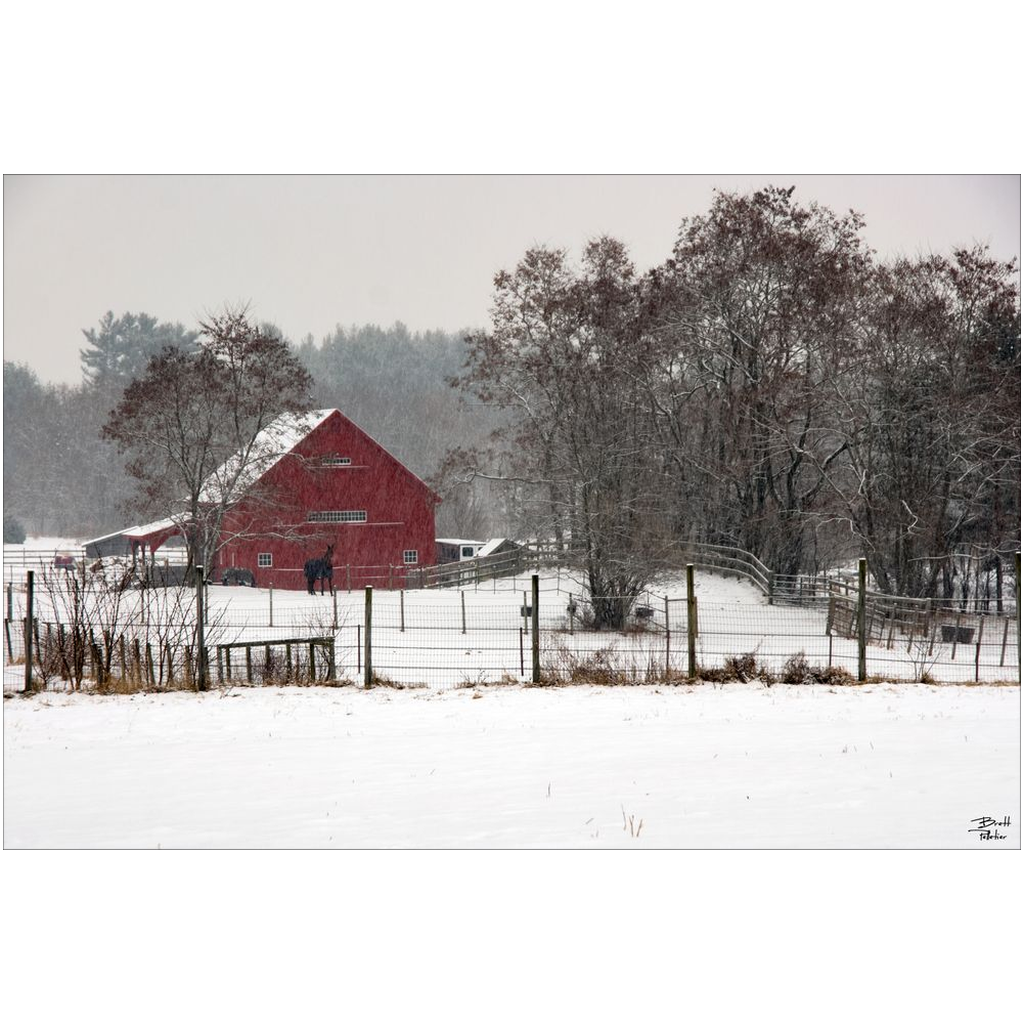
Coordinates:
<point>312,252</point>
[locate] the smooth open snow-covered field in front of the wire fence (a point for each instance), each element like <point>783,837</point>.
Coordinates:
<point>701,766</point>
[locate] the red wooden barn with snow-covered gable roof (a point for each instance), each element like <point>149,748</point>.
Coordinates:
<point>322,482</point>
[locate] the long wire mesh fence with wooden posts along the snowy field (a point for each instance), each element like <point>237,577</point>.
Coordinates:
<point>452,638</point>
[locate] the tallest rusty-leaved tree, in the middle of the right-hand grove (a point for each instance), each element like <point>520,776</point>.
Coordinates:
<point>756,309</point>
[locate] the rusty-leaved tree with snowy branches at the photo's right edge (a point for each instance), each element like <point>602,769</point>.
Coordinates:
<point>932,420</point>
